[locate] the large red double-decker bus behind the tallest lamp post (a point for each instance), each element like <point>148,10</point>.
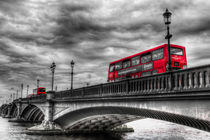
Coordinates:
<point>147,63</point>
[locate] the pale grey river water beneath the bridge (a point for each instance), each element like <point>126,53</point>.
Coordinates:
<point>146,129</point>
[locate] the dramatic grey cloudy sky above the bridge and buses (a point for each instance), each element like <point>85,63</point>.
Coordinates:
<point>34,33</point>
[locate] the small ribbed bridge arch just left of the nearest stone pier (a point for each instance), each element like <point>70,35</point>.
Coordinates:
<point>32,113</point>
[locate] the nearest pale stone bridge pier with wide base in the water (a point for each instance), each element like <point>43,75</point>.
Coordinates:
<point>47,124</point>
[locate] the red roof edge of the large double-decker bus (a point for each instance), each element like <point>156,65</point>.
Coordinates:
<point>149,50</point>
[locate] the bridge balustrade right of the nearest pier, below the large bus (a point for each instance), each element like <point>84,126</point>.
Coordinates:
<point>196,78</point>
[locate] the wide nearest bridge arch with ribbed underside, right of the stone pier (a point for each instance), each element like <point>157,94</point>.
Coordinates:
<point>102,118</point>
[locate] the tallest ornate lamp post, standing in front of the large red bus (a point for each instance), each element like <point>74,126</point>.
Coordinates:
<point>167,20</point>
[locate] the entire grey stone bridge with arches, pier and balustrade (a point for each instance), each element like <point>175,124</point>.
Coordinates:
<point>181,97</point>
